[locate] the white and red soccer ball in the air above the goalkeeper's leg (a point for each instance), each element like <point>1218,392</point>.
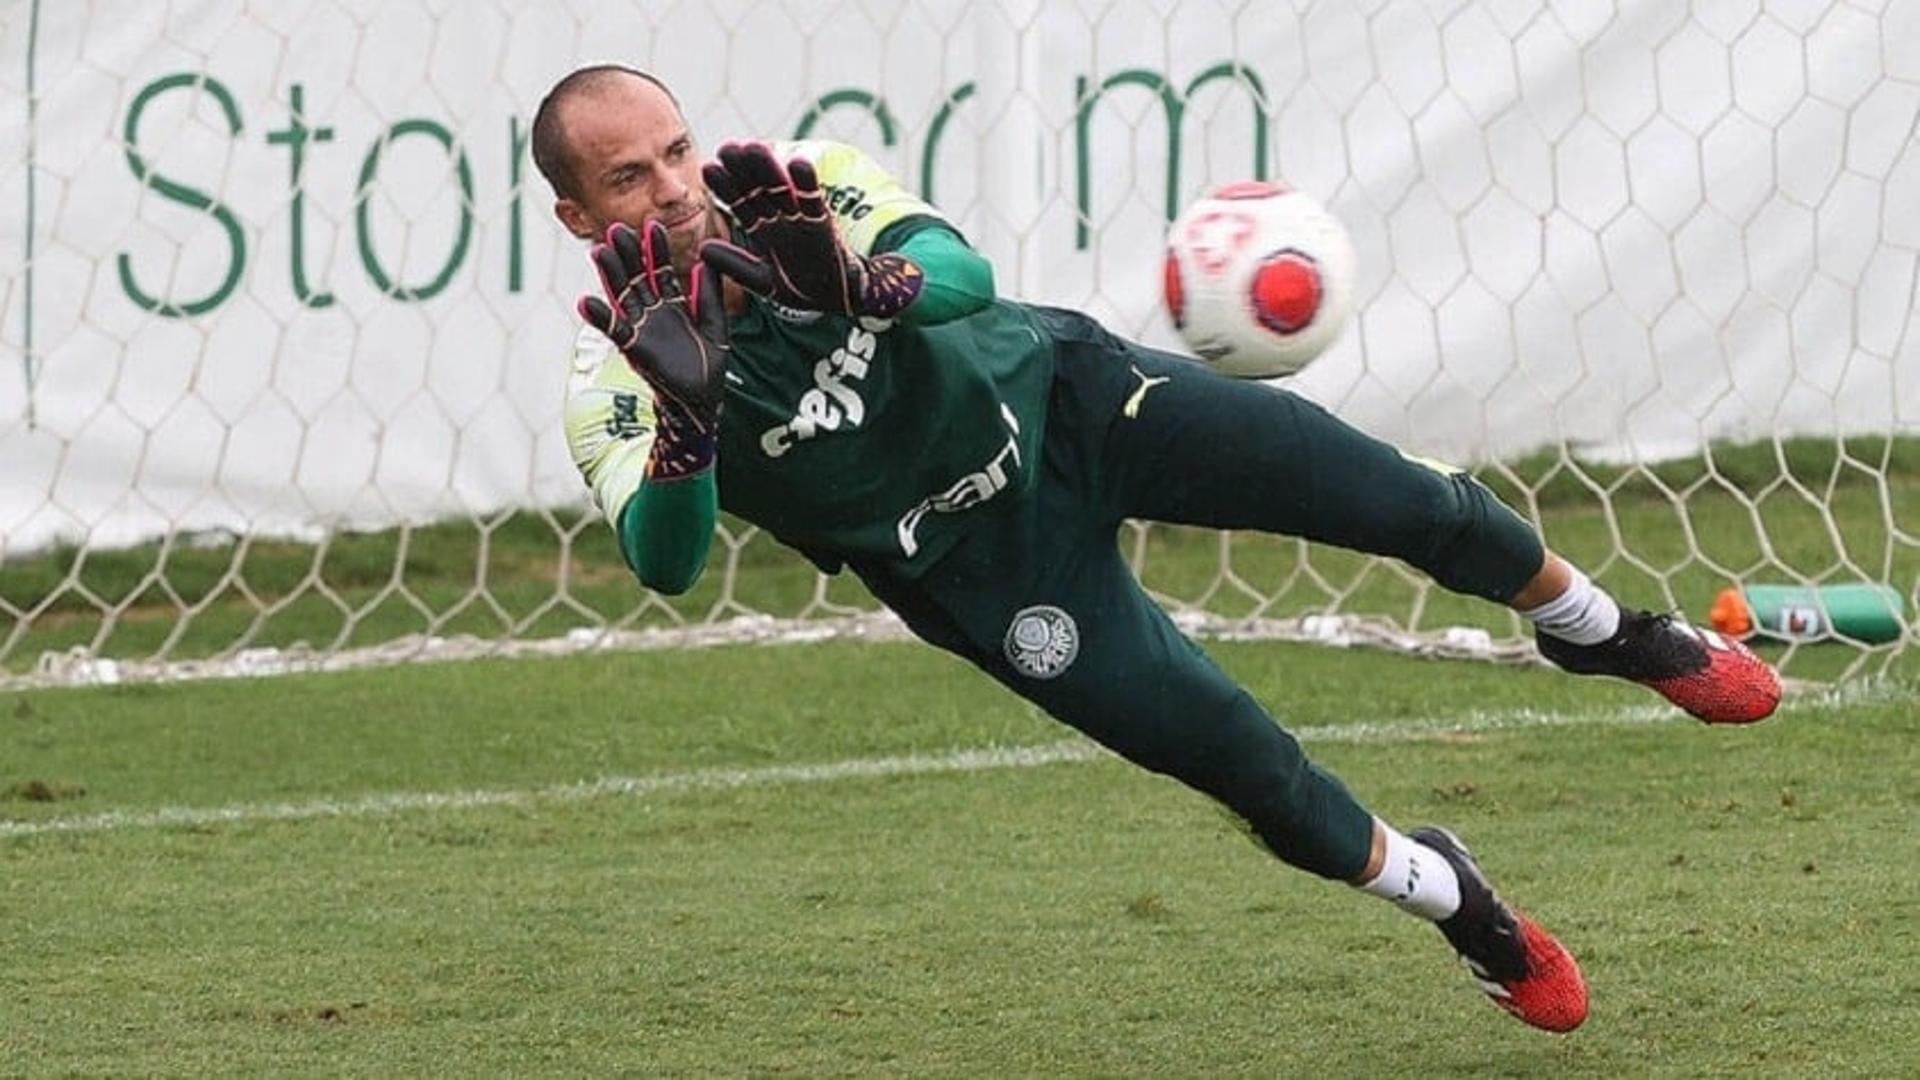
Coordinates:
<point>1259,280</point>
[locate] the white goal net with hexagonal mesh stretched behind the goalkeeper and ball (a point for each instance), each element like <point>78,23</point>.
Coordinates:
<point>285,310</point>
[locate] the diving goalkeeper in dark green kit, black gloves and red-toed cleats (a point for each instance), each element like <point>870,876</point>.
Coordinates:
<point>790,335</point>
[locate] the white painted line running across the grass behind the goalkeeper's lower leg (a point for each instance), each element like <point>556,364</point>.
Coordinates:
<point>971,760</point>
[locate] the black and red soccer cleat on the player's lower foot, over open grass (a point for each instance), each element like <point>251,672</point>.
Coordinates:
<point>1518,964</point>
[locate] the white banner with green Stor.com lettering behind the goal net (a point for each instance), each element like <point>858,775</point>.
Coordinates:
<point>287,266</point>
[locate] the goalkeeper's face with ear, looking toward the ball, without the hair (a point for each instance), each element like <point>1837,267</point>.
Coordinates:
<point>635,159</point>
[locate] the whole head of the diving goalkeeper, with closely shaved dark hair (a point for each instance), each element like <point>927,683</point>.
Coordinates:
<point>613,147</point>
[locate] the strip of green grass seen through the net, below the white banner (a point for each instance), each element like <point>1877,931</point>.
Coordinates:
<point>1662,537</point>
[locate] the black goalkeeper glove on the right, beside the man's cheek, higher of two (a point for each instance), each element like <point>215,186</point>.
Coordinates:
<point>798,255</point>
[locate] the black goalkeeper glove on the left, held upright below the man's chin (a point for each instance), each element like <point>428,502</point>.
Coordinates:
<point>677,343</point>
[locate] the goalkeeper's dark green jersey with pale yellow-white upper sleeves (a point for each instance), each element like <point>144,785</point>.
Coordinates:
<point>840,437</point>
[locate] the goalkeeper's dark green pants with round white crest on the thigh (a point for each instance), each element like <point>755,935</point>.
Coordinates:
<point>1042,599</point>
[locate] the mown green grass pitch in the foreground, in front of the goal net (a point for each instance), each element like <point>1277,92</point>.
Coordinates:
<point>1742,900</point>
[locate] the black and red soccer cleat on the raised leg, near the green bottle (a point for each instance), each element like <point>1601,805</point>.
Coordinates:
<point>1716,679</point>
